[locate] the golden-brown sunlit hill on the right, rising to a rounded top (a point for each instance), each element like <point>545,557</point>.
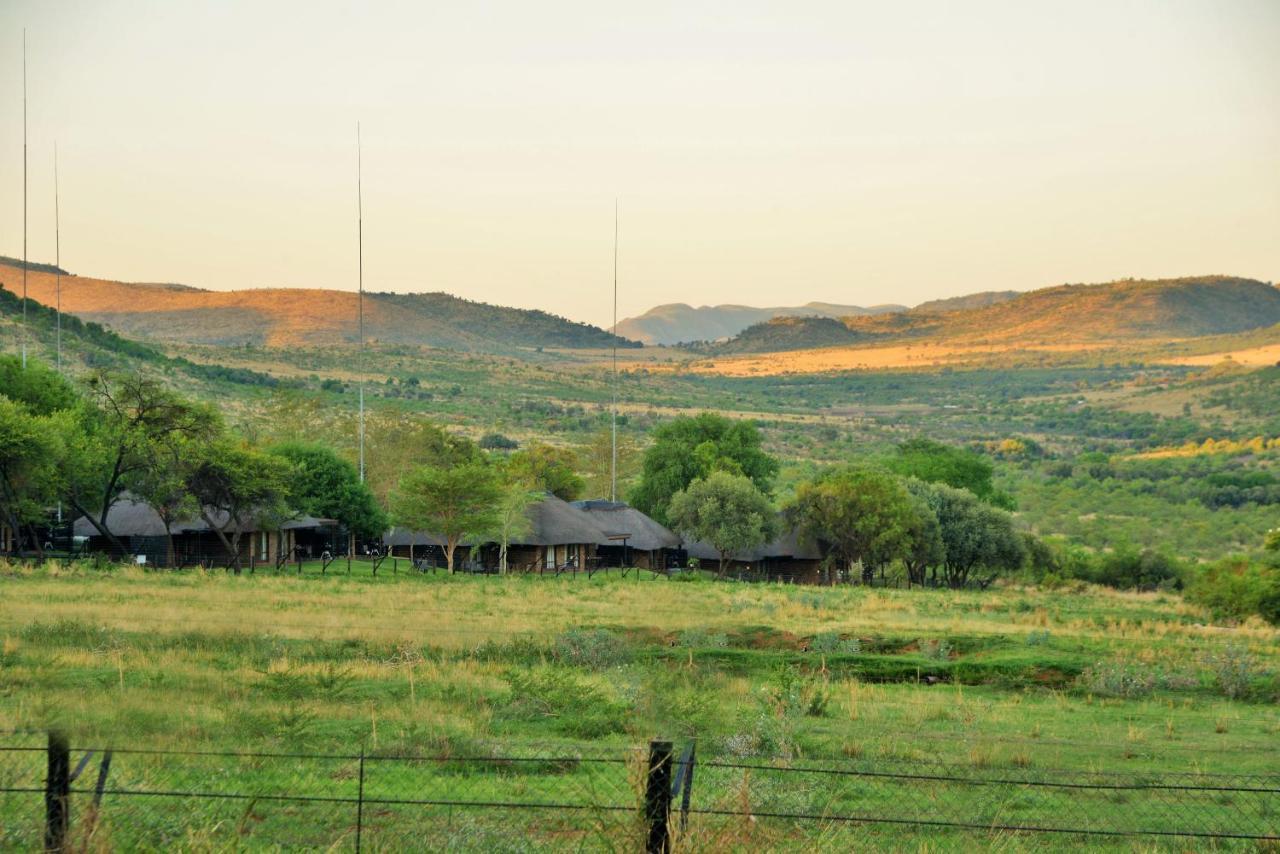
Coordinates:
<point>1071,314</point>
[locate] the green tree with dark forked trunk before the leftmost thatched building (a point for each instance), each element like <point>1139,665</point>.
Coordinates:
<point>240,488</point>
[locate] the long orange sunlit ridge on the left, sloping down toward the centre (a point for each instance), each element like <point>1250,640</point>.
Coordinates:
<point>294,317</point>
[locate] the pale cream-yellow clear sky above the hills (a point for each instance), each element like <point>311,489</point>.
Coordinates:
<point>758,153</point>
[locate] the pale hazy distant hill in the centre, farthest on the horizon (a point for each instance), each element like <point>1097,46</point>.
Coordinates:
<point>679,323</point>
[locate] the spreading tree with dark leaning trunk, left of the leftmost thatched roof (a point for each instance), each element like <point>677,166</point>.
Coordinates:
<point>127,430</point>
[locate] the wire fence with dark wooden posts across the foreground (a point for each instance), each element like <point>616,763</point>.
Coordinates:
<point>656,800</point>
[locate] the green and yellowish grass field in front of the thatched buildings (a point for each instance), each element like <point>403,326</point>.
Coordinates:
<point>1009,683</point>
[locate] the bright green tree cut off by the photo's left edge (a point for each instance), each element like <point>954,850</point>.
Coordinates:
<point>30,477</point>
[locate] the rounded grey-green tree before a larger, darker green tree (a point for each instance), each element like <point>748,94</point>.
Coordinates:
<point>729,512</point>
